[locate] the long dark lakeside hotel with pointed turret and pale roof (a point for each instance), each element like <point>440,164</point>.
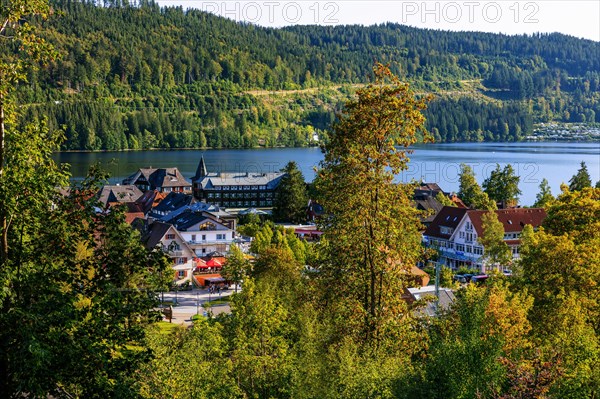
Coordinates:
<point>235,190</point>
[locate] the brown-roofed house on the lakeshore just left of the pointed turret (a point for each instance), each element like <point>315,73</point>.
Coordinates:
<point>161,179</point>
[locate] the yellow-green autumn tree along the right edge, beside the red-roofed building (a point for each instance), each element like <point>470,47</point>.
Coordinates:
<point>560,267</point>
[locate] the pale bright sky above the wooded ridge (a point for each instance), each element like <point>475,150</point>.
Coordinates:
<point>579,18</point>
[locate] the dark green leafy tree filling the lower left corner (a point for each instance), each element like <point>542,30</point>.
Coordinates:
<point>82,290</point>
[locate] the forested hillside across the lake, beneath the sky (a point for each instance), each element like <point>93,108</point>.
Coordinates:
<point>140,76</point>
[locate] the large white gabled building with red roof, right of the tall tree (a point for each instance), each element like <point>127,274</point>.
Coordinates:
<point>454,233</point>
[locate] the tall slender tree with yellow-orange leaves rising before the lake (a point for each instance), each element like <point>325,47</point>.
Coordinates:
<point>372,229</point>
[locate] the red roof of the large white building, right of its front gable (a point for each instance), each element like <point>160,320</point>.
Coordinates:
<point>513,220</point>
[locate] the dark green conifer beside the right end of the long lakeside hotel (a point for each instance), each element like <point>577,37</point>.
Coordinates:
<point>292,198</point>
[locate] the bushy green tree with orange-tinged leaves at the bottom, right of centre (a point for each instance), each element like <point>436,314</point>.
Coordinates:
<point>467,344</point>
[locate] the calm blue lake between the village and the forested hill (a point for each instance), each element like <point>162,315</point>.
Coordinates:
<point>533,161</point>
